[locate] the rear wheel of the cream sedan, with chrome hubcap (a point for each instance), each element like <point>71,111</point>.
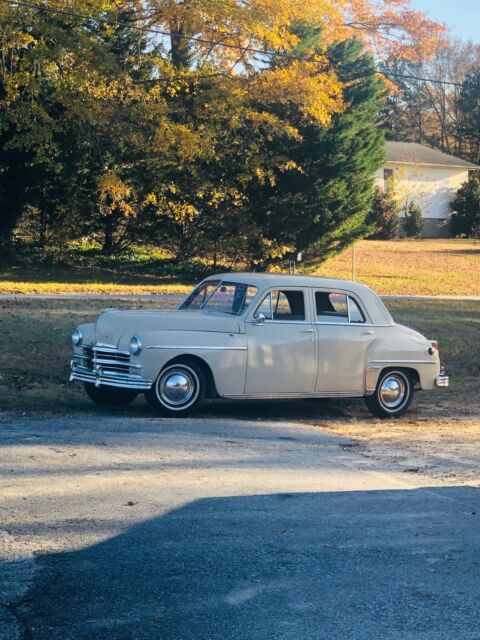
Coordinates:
<point>393,394</point>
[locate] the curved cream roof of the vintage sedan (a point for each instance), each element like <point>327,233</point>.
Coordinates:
<point>377,311</point>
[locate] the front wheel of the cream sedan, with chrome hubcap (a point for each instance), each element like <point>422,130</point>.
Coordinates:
<point>178,389</point>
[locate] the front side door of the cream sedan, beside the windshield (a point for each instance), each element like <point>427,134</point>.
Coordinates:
<point>281,344</point>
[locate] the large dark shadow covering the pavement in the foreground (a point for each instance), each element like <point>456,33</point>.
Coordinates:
<point>348,565</point>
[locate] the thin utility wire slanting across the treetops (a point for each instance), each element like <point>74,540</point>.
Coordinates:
<point>205,41</point>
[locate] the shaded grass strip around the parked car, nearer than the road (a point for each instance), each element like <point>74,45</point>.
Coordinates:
<point>35,337</point>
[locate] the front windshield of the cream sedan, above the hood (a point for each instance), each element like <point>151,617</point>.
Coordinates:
<point>220,295</point>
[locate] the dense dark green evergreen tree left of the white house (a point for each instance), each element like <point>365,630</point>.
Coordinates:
<point>317,202</point>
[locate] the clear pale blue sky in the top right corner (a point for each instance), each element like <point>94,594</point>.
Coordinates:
<point>461,16</point>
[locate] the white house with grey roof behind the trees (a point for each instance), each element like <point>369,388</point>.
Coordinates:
<point>426,176</point>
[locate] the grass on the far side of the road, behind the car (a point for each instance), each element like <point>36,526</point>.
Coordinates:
<point>409,267</point>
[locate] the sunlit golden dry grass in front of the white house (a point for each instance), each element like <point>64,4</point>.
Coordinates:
<point>412,267</point>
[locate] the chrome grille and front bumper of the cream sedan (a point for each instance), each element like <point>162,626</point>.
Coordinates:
<point>109,367</point>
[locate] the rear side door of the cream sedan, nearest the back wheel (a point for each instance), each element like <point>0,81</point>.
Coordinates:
<point>343,333</point>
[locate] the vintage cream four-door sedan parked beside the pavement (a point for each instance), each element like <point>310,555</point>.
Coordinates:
<point>257,335</point>
